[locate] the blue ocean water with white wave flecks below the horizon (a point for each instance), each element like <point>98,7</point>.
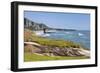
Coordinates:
<point>81,37</point>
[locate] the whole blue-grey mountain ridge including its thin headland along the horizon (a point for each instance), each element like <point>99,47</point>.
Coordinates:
<point>40,26</point>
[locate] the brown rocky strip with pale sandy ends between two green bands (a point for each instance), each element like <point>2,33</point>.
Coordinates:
<point>55,51</point>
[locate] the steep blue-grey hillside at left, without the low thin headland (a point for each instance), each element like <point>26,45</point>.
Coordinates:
<point>33,25</point>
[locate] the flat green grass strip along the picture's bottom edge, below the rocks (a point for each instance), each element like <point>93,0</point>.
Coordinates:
<point>28,57</point>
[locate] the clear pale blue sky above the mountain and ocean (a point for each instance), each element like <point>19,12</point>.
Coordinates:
<point>60,20</point>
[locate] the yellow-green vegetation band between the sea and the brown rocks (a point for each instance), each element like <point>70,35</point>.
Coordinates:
<point>31,37</point>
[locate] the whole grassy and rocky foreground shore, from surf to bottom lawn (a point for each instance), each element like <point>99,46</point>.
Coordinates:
<point>49,48</point>
